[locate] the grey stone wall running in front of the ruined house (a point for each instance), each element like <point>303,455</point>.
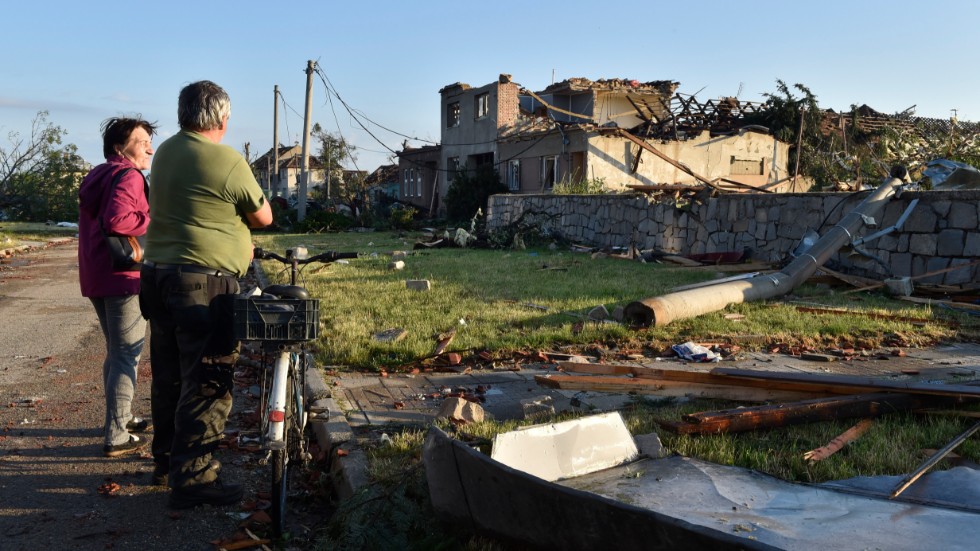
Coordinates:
<point>942,230</point>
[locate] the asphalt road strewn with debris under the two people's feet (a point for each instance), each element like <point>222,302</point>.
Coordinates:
<point>57,491</point>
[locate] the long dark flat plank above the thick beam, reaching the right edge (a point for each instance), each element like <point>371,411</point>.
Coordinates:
<point>838,384</point>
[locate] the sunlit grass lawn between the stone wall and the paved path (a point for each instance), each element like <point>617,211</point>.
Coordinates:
<point>501,301</point>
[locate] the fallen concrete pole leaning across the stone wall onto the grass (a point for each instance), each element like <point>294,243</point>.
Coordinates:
<point>665,309</point>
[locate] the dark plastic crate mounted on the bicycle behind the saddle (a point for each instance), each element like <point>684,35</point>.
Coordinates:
<point>267,319</point>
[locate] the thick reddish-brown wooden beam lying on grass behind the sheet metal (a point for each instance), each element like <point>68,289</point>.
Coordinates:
<point>808,411</point>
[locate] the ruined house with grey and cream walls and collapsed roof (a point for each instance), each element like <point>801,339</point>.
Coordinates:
<point>579,130</point>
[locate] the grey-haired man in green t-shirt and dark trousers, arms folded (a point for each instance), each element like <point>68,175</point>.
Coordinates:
<point>203,199</point>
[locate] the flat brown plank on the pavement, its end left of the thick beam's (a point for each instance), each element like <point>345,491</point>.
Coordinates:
<point>600,383</point>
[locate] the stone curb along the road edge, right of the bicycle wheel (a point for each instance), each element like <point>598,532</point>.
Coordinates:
<point>347,463</point>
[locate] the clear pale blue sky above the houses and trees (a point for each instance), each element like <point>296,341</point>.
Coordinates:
<point>83,62</point>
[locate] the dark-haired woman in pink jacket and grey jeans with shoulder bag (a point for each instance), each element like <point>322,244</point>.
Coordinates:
<point>121,209</point>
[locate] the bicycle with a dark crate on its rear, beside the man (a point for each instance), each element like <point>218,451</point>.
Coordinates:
<point>283,319</point>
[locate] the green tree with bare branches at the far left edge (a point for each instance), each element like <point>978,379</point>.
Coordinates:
<point>39,177</point>
